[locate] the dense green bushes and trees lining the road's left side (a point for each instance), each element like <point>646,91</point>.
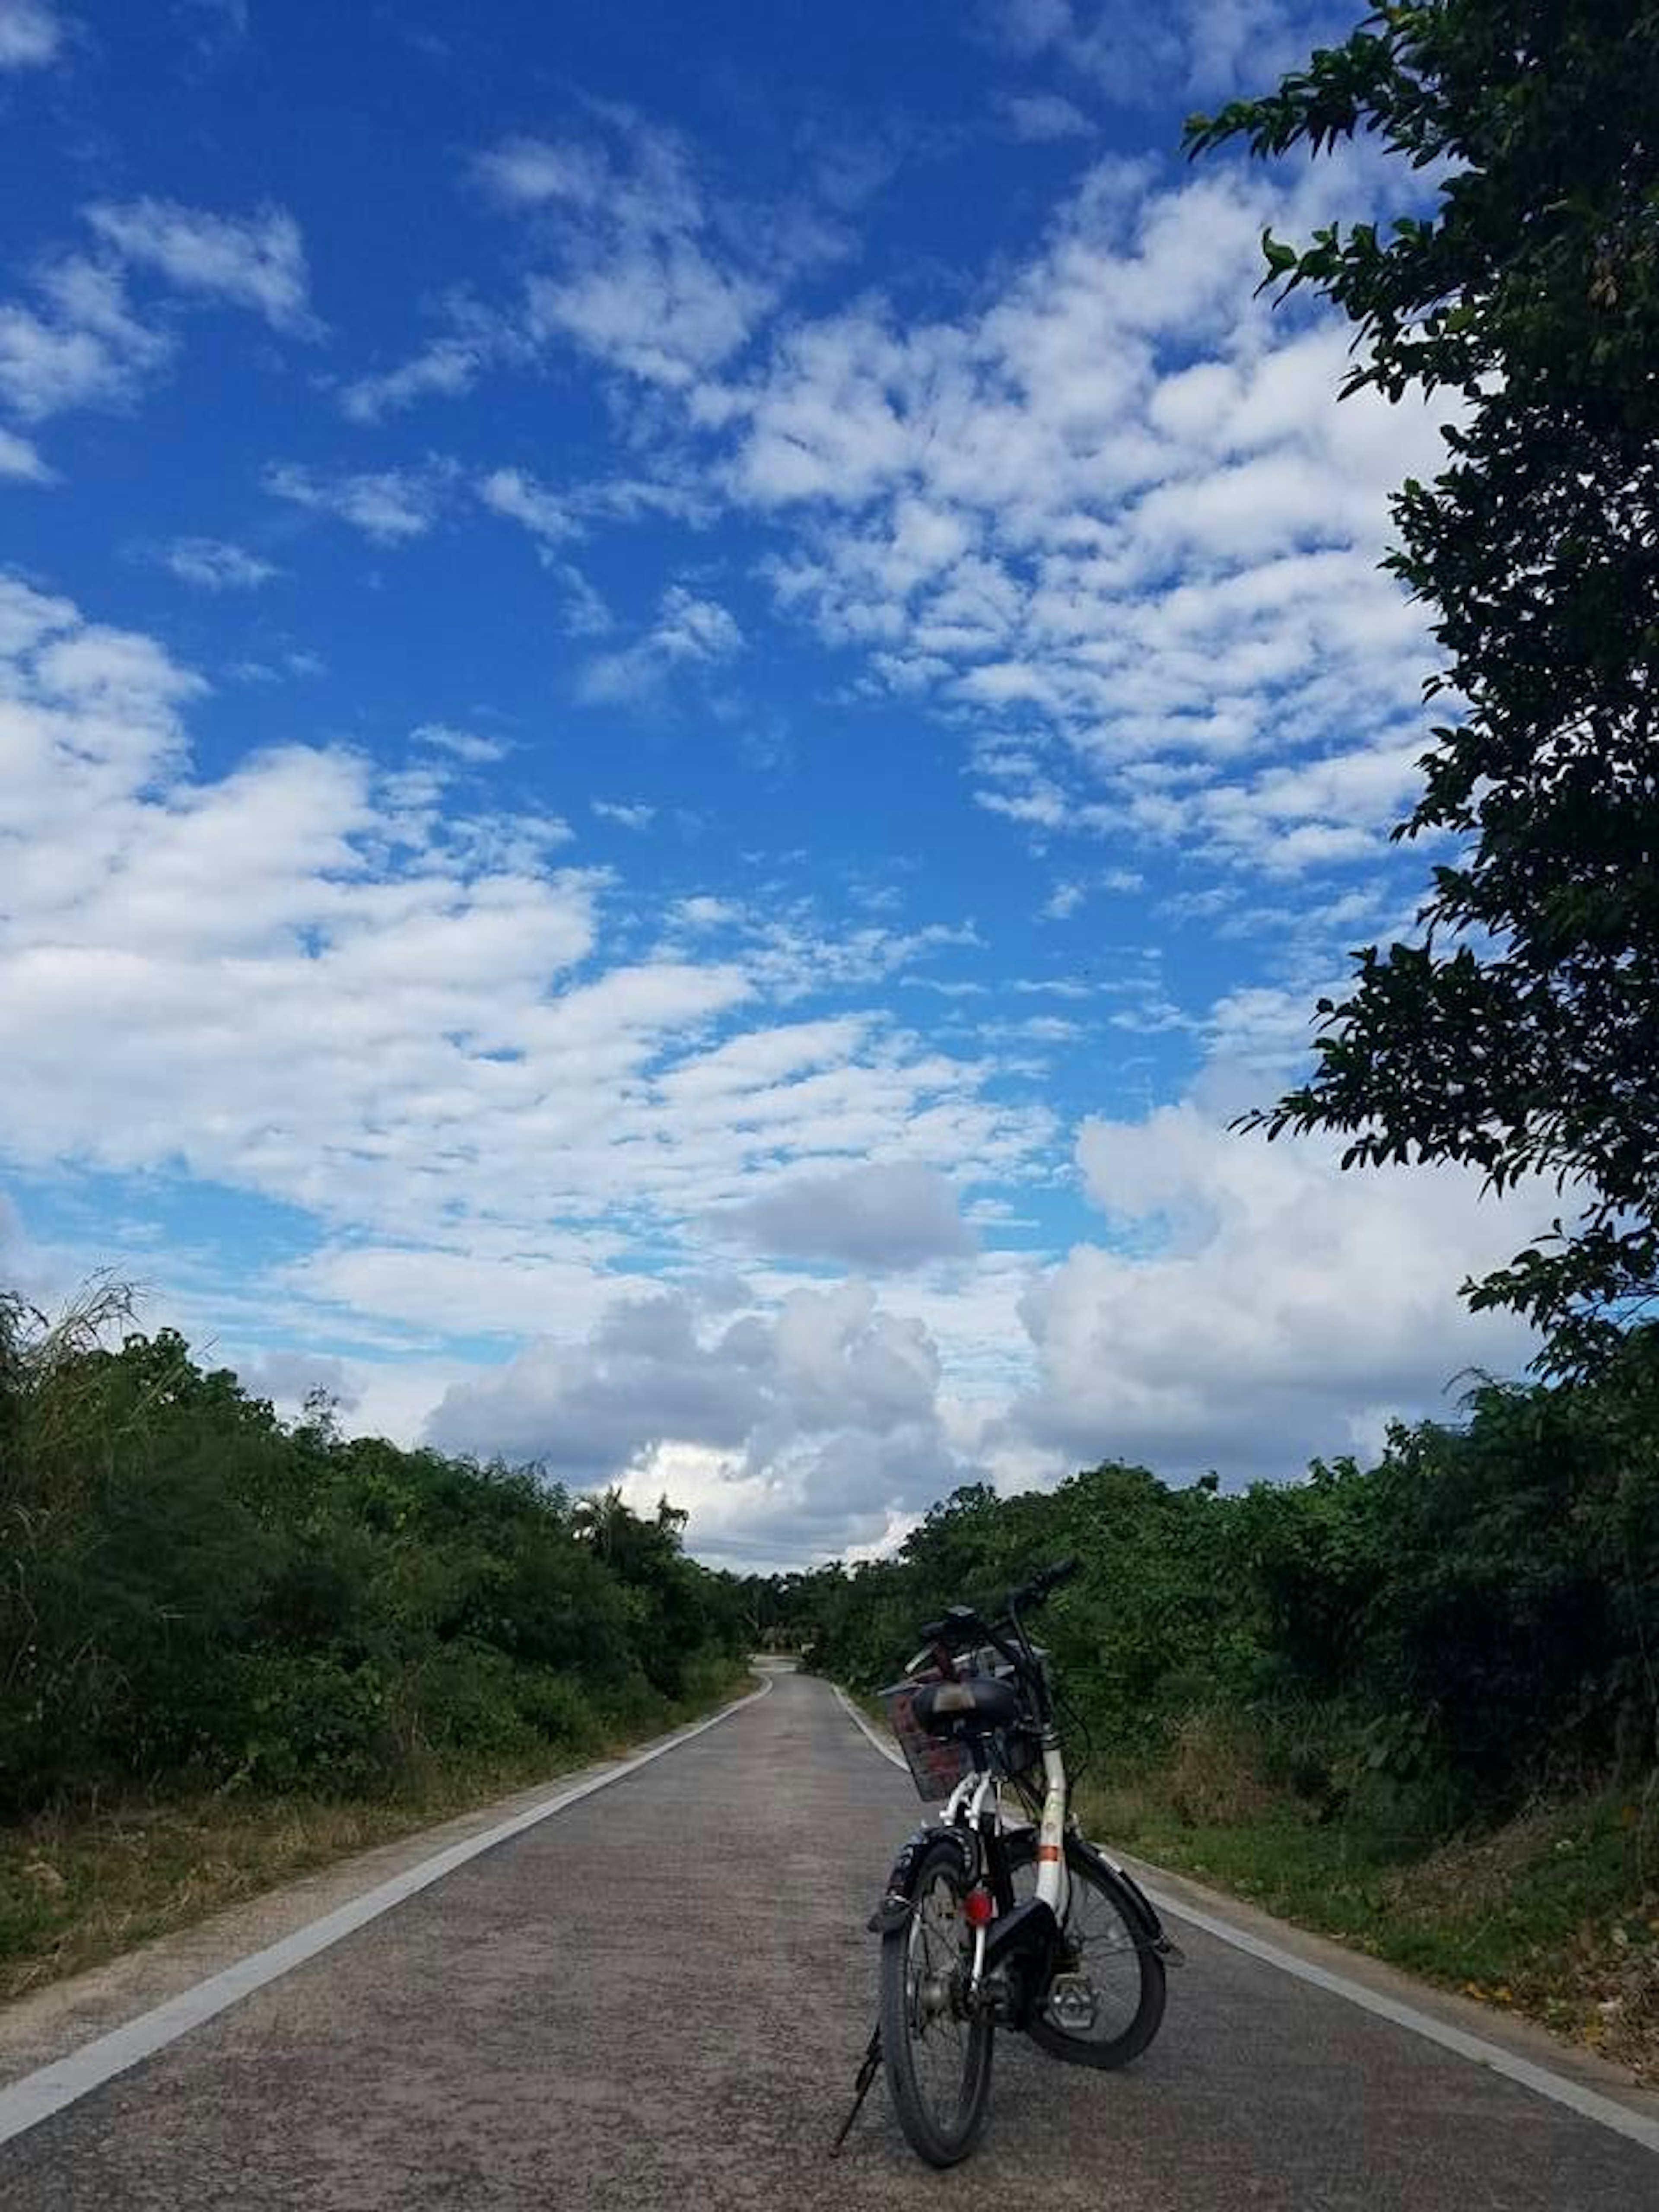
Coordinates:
<point>196,1592</point>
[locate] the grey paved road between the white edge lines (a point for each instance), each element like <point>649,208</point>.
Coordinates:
<point>658,1999</point>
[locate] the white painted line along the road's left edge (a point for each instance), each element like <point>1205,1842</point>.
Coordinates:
<point>39,2096</point>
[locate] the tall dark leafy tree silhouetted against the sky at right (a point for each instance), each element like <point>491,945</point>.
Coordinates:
<point>1521,1034</point>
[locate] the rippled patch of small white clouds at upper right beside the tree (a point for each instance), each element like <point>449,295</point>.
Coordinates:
<point>1116,528</point>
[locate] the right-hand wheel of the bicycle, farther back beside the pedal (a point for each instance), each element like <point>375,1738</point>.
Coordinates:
<point>1107,2003</point>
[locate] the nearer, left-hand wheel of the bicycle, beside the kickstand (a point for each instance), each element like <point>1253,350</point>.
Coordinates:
<point>935,2049</point>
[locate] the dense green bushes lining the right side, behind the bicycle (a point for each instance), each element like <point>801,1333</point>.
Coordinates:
<point>1410,1645</point>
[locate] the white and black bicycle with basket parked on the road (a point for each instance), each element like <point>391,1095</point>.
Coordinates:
<point>990,1926</point>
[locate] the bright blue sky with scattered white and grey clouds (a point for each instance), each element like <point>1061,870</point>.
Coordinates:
<point>687,700</point>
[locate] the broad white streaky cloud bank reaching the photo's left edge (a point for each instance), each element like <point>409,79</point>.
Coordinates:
<point>331,985</point>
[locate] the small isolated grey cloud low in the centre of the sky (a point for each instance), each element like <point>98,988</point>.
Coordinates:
<point>881,1218</point>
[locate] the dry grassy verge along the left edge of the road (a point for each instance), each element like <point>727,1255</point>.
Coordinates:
<point>87,1884</point>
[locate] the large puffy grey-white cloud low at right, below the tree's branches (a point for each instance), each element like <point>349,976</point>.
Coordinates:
<point>1258,1306</point>
